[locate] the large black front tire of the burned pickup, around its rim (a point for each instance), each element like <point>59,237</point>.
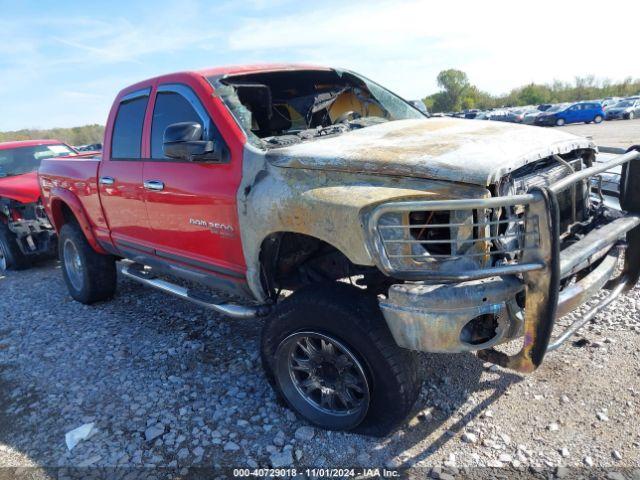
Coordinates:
<point>352,317</point>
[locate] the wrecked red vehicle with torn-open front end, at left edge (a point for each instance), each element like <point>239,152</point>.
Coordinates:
<point>25,231</point>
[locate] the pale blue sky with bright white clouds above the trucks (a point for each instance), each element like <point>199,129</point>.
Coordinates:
<point>62,62</point>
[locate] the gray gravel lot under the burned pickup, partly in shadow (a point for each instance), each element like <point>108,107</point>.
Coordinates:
<point>168,384</point>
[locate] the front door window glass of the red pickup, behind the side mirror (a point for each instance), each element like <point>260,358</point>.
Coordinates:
<point>170,107</point>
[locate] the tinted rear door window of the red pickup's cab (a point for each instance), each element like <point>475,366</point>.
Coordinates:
<point>127,128</point>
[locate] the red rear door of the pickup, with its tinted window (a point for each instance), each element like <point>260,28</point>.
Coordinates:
<point>120,176</point>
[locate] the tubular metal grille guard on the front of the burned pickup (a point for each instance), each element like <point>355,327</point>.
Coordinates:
<point>543,266</point>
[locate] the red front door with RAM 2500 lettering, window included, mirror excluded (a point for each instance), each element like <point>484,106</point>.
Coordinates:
<point>191,205</point>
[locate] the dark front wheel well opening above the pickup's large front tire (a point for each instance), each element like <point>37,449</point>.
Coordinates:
<point>292,260</point>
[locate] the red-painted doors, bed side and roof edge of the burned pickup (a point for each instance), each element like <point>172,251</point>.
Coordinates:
<point>166,223</point>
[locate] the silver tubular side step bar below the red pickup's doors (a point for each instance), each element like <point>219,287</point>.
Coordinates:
<point>229,309</point>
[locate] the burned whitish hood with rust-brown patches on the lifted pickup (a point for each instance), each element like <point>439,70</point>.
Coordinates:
<point>468,151</point>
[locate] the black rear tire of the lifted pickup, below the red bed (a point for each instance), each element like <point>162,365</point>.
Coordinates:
<point>98,277</point>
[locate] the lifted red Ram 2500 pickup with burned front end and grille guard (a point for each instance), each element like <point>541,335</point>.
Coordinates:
<point>361,230</point>
